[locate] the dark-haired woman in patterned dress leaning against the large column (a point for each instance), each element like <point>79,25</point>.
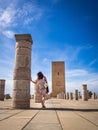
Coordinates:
<point>40,84</point>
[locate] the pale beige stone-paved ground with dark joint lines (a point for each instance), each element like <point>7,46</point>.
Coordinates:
<point>59,115</point>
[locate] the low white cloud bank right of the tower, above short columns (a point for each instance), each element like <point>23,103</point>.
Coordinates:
<point>75,79</point>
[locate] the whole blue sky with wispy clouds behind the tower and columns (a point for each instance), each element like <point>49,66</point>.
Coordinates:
<point>62,30</point>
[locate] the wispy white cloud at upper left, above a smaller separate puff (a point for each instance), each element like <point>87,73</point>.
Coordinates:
<point>12,15</point>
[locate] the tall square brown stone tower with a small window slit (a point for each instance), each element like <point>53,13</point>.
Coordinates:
<point>58,78</point>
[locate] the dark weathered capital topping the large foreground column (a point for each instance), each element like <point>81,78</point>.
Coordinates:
<point>26,37</point>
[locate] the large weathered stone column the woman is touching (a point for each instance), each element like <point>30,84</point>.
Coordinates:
<point>22,71</point>
